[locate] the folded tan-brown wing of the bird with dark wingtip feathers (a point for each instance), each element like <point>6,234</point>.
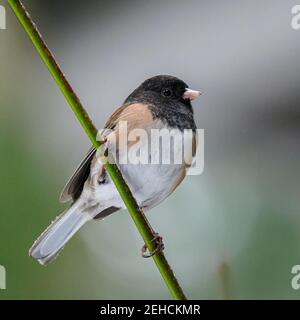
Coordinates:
<point>137,116</point>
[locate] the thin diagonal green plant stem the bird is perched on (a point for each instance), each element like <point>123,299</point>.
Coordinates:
<point>136,213</point>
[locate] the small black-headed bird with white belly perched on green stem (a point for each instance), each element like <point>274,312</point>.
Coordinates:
<point>160,102</point>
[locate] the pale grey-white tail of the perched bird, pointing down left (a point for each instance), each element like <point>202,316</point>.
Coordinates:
<point>46,248</point>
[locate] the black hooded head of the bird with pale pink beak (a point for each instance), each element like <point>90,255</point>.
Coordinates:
<point>168,97</point>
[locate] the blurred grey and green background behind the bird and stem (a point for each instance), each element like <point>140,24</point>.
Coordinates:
<point>239,219</point>
